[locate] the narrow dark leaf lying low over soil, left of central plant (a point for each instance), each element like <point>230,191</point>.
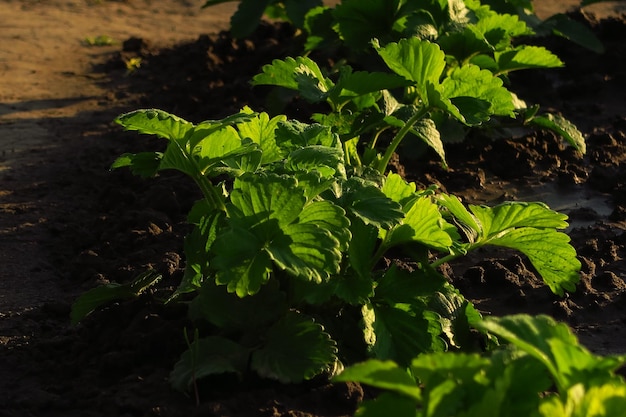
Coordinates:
<point>97,297</point>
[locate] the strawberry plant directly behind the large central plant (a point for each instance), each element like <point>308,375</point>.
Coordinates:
<point>434,97</point>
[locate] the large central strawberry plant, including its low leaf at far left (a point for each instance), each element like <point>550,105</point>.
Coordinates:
<point>286,270</point>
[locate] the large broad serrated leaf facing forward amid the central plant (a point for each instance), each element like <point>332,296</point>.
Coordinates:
<point>268,212</point>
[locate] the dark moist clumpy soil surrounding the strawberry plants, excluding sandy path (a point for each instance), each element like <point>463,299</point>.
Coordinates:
<point>109,226</point>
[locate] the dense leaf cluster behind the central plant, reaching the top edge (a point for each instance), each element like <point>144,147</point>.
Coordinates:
<point>440,69</point>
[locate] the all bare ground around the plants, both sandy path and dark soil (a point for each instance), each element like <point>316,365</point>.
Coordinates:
<point>67,223</point>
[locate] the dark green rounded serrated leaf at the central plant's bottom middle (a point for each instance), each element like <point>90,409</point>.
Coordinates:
<point>295,349</point>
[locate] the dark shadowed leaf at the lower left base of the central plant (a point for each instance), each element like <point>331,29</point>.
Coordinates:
<point>208,356</point>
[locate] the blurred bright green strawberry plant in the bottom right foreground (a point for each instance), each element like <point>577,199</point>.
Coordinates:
<point>542,372</point>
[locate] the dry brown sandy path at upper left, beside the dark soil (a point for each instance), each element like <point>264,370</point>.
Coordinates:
<point>47,82</point>
